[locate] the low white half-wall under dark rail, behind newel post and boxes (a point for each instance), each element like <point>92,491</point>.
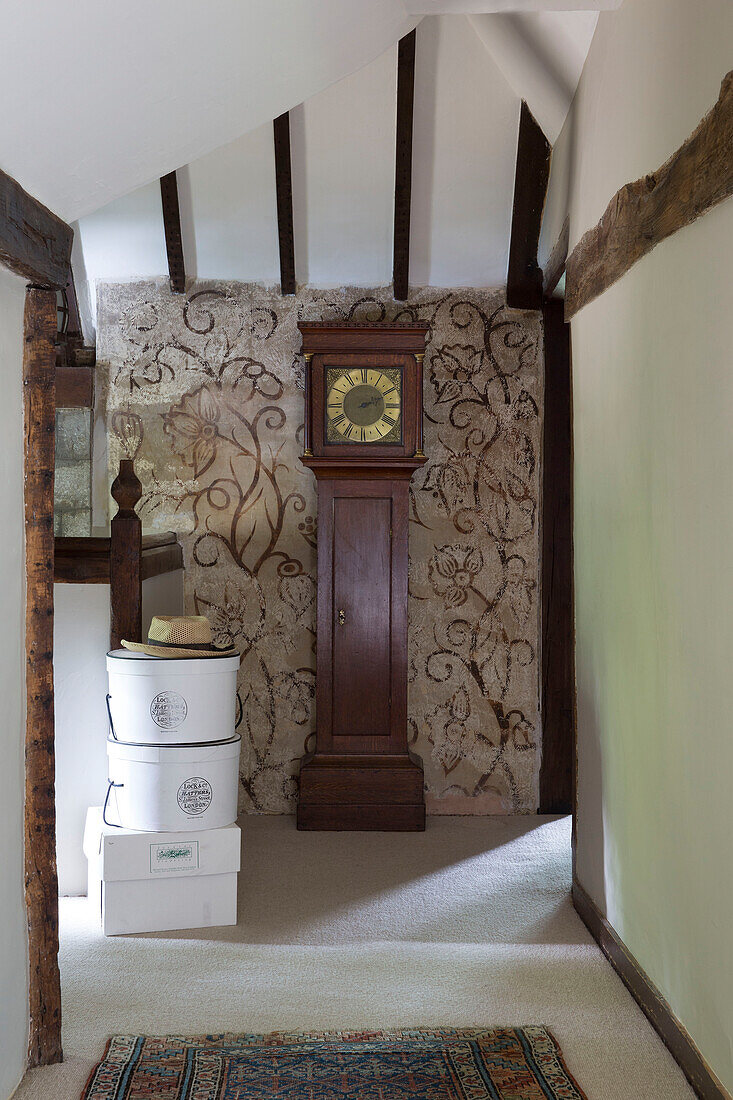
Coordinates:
<point>81,645</point>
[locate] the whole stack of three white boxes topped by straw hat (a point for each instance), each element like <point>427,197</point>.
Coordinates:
<point>165,850</point>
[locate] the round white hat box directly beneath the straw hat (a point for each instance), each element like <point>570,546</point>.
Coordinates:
<point>170,701</point>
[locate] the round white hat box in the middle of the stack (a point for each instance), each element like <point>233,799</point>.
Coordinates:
<point>173,788</point>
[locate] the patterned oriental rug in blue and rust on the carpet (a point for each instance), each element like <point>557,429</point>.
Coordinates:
<point>445,1064</point>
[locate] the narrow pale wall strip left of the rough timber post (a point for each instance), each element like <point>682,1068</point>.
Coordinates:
<point>14,950</point>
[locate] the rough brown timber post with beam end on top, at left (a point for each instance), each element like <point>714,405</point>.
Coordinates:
<point>37,245</point>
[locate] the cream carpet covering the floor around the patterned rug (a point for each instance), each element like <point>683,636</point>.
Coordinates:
<point>469,923</point>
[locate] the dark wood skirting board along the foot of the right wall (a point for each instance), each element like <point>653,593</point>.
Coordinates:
<point>654,1006</point>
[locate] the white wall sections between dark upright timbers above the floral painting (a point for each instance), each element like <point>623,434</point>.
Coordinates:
<point>343,151</point>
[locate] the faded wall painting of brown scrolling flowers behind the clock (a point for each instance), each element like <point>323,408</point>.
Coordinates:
<point>205,392</point>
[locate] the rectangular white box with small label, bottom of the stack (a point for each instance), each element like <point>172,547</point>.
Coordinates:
<point>144,883</point>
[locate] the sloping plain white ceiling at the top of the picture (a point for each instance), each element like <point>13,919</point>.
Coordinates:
<point>102,97</point>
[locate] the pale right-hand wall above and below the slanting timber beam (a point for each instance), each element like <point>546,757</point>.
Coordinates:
<point>653,398</point>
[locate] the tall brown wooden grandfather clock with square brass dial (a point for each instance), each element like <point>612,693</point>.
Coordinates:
<point>364,441</point>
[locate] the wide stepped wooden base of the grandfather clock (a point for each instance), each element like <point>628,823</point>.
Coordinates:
<point>362,794</point>
